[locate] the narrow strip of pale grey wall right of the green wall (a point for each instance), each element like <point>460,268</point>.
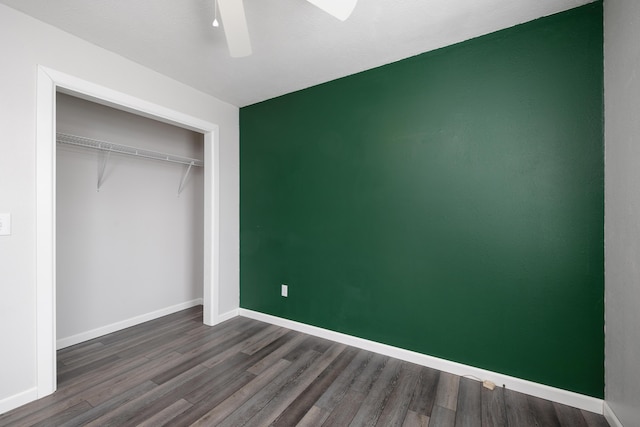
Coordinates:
<point>622,209</point>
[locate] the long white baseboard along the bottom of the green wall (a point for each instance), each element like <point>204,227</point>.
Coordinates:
<point>524,386</point>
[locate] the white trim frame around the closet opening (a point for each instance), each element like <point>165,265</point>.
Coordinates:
<point>49,82</point>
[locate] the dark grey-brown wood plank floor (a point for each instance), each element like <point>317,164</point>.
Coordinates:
<point>175,371</point>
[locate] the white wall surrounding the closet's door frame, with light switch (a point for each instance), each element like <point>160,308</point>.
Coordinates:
<point>25,43</point>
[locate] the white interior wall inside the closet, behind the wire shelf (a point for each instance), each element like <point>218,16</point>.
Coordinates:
<point>134,247</point>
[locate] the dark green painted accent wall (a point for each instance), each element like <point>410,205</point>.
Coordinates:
<point>450,203</point>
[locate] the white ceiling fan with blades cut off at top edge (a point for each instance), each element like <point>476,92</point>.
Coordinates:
<point>235,22</point>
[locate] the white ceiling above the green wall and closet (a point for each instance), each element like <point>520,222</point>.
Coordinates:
<point>295,45</point>
